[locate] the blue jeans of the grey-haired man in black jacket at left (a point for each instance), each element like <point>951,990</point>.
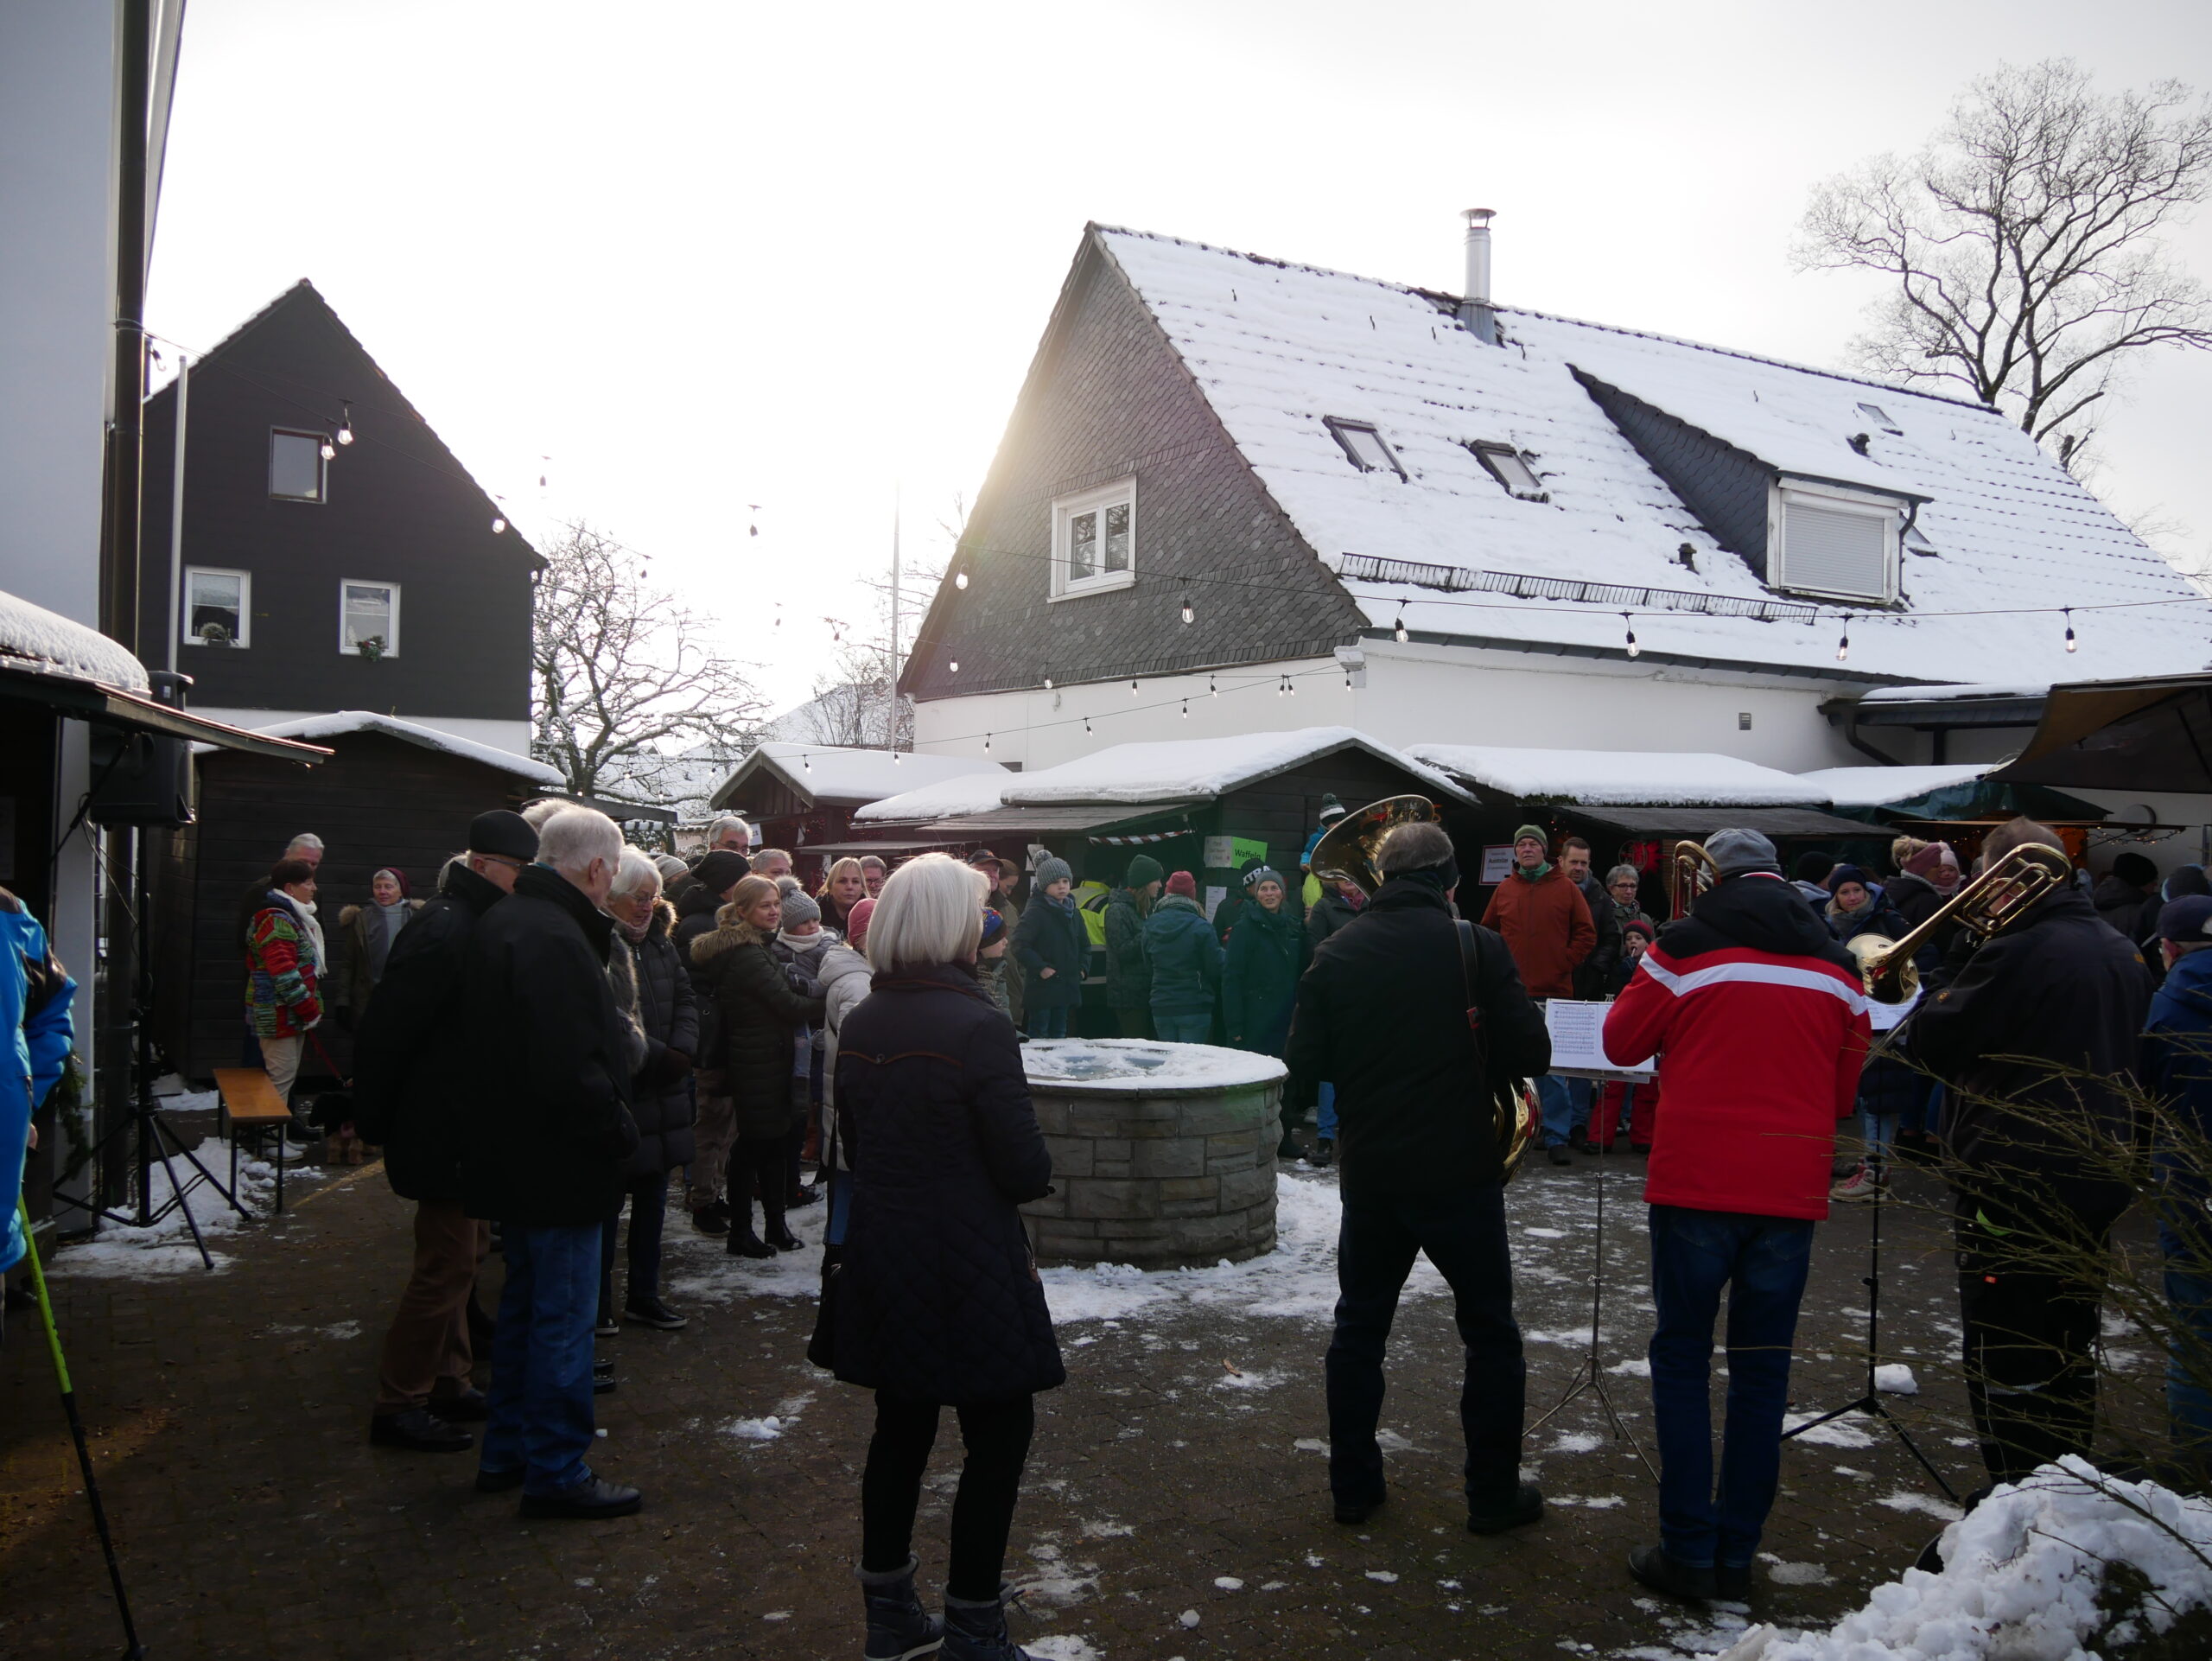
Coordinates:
<point>541,1357</point>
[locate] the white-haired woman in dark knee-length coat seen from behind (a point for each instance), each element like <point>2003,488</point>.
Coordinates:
<point>937,1299</point>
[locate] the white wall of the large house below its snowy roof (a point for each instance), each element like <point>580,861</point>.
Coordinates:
<point>1410,696</point>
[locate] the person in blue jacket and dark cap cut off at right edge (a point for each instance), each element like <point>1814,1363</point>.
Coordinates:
<point>2178,1067</point>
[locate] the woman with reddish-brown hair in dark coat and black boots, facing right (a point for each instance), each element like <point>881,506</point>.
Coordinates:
<point>758,1021</point>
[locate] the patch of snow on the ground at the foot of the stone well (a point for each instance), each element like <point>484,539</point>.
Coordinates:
<point>1297,1279</point>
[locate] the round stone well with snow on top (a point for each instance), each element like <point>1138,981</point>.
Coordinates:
<point>1162,1153</point>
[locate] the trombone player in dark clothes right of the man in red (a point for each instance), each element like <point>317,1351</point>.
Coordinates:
<point>2036,1038</point>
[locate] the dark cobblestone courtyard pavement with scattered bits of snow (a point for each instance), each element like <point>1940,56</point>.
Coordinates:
<point>1176,1501</point>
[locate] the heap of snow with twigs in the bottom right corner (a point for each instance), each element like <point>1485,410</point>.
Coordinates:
<point>2023,1580</point>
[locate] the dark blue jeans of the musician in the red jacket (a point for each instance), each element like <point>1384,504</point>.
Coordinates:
<point>1762,1262</point>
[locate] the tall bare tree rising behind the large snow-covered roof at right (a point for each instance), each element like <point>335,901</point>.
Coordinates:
<point>2025,242</point>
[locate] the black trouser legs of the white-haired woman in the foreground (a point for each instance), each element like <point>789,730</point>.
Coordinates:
<point>997,1439</point>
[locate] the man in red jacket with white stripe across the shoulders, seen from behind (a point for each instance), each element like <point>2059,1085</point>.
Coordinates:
<point>1760,1023</point>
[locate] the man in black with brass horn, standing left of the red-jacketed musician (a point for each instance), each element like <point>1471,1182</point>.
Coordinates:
<point>1412,1041</point>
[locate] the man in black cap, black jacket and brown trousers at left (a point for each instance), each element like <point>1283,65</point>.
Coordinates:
<point>410,1063</point>
